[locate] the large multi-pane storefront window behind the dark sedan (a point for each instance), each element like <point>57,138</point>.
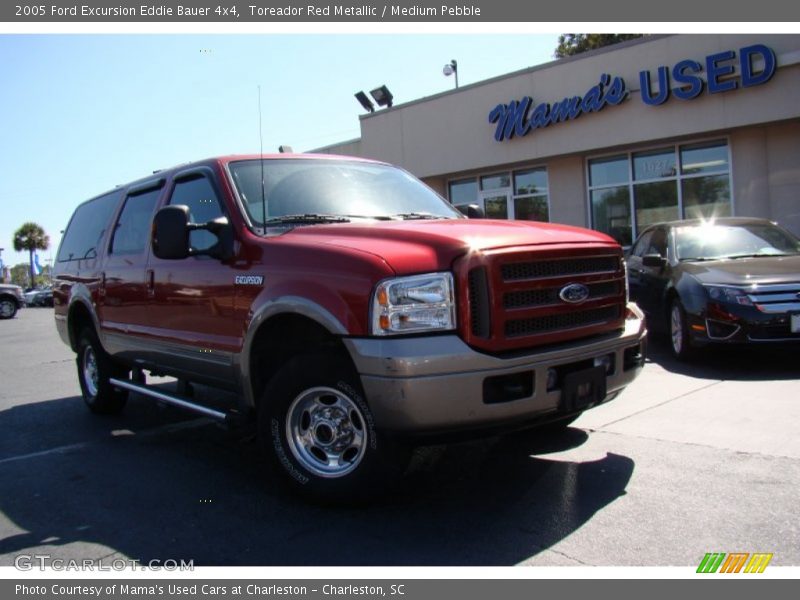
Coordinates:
<point>665,184</point>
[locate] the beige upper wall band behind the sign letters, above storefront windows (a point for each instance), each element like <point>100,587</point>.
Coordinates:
<point>450,133</point>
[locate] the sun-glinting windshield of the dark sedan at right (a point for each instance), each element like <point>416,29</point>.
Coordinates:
<point>710,241</point>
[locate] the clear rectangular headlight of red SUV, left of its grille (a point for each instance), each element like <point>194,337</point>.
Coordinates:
<point>414,304</point>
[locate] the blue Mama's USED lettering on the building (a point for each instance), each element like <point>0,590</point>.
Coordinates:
<point>690,78</point>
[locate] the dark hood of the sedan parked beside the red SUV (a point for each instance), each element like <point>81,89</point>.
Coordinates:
<point>745,271</point>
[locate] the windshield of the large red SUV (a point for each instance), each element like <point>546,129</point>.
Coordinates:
<point>321,188</point>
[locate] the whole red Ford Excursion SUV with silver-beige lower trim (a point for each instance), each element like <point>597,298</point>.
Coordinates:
<point>350,307</point>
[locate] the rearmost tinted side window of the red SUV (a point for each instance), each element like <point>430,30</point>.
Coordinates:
<point>86,229</point>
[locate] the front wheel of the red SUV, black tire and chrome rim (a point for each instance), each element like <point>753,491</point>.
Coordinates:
<point>314,423</point>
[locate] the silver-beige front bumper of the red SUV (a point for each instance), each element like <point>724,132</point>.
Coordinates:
<point>439,384</point>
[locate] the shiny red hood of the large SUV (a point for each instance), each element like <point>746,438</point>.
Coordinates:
<point>417,246</point>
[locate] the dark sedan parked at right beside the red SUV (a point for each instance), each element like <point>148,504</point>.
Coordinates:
<point>729,280</point>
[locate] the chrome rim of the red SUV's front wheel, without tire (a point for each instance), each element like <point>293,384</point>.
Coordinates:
<point>326,432</point>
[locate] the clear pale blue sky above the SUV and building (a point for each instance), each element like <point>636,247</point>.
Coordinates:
<point>80,114</point>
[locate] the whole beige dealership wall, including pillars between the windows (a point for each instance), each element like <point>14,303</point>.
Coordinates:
<point>448,136</point>
